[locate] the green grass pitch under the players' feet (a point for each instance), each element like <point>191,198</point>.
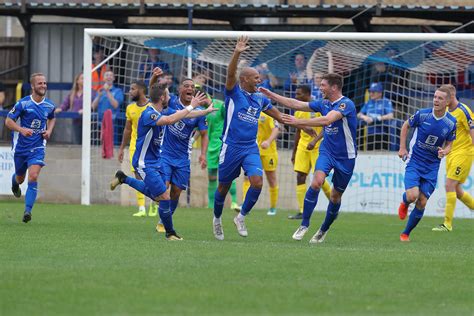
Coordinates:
<point>99,260</point>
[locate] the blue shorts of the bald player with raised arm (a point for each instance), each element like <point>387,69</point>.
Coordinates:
<point>232,158</point>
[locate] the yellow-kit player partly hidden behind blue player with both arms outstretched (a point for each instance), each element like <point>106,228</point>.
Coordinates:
<point>305,152</point>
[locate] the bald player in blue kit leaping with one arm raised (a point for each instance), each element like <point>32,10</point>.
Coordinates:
<point>243,105</point>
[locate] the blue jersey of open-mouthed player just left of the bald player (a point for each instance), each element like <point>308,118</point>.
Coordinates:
<point>177,138</point>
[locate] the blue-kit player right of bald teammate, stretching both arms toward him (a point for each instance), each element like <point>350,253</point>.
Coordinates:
<point>337,152</point>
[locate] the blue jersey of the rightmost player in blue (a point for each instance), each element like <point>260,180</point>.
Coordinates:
<point>430,133</point>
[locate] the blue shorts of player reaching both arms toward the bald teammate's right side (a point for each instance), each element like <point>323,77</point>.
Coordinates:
<point>343,169</point>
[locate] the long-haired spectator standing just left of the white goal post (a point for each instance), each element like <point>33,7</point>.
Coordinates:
<point>73,103</point>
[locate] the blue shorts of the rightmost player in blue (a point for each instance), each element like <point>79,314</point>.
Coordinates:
<point>423,177</point>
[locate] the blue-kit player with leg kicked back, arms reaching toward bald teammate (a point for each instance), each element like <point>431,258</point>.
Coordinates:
<point>147,158</point>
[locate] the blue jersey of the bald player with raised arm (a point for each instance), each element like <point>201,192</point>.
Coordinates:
<point>241,118</point>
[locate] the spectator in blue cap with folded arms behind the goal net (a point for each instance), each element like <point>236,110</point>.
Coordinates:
<point>377,110</point>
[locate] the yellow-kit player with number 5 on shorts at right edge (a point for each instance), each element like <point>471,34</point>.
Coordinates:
<point>458,161</point>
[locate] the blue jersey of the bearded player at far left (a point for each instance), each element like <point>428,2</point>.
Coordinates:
<point>33,116</point>
